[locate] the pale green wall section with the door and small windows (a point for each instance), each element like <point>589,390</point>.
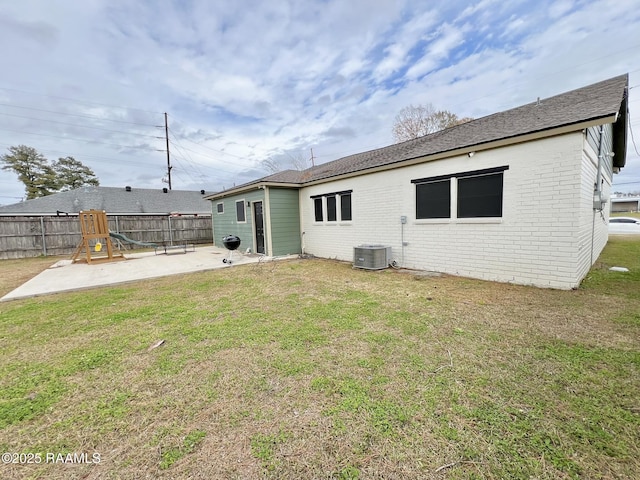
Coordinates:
<point>226,224</point>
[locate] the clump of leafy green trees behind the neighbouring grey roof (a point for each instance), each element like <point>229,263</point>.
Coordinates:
<point>40,178</point>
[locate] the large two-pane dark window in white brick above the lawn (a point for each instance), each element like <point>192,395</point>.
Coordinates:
<point>479,194</point>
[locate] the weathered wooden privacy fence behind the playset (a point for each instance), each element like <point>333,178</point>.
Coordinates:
<point>34,235</point>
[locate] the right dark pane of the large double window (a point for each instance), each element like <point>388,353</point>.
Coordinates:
<point>480,196</point>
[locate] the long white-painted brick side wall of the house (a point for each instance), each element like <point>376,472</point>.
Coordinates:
<point>541,239</point>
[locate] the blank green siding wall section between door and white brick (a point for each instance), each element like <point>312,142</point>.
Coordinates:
<point>284,214</point>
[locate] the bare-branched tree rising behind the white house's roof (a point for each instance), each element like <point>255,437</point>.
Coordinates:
<point>416,121</point>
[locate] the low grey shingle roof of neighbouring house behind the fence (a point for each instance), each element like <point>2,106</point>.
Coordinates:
<point>114,201</point>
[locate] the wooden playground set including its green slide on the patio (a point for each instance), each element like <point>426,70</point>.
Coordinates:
<point>97,245</point>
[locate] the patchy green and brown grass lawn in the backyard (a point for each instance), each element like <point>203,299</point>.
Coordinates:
<point>311,369</point>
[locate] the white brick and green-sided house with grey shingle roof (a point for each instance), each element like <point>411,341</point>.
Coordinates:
<point>519,196</point>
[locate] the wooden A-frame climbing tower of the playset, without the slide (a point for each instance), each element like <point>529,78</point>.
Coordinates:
<point>95,228</point>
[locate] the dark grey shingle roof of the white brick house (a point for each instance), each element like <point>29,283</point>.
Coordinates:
<point>596,104</point>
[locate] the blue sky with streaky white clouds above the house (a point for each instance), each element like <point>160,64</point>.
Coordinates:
<point>286,82</point>
